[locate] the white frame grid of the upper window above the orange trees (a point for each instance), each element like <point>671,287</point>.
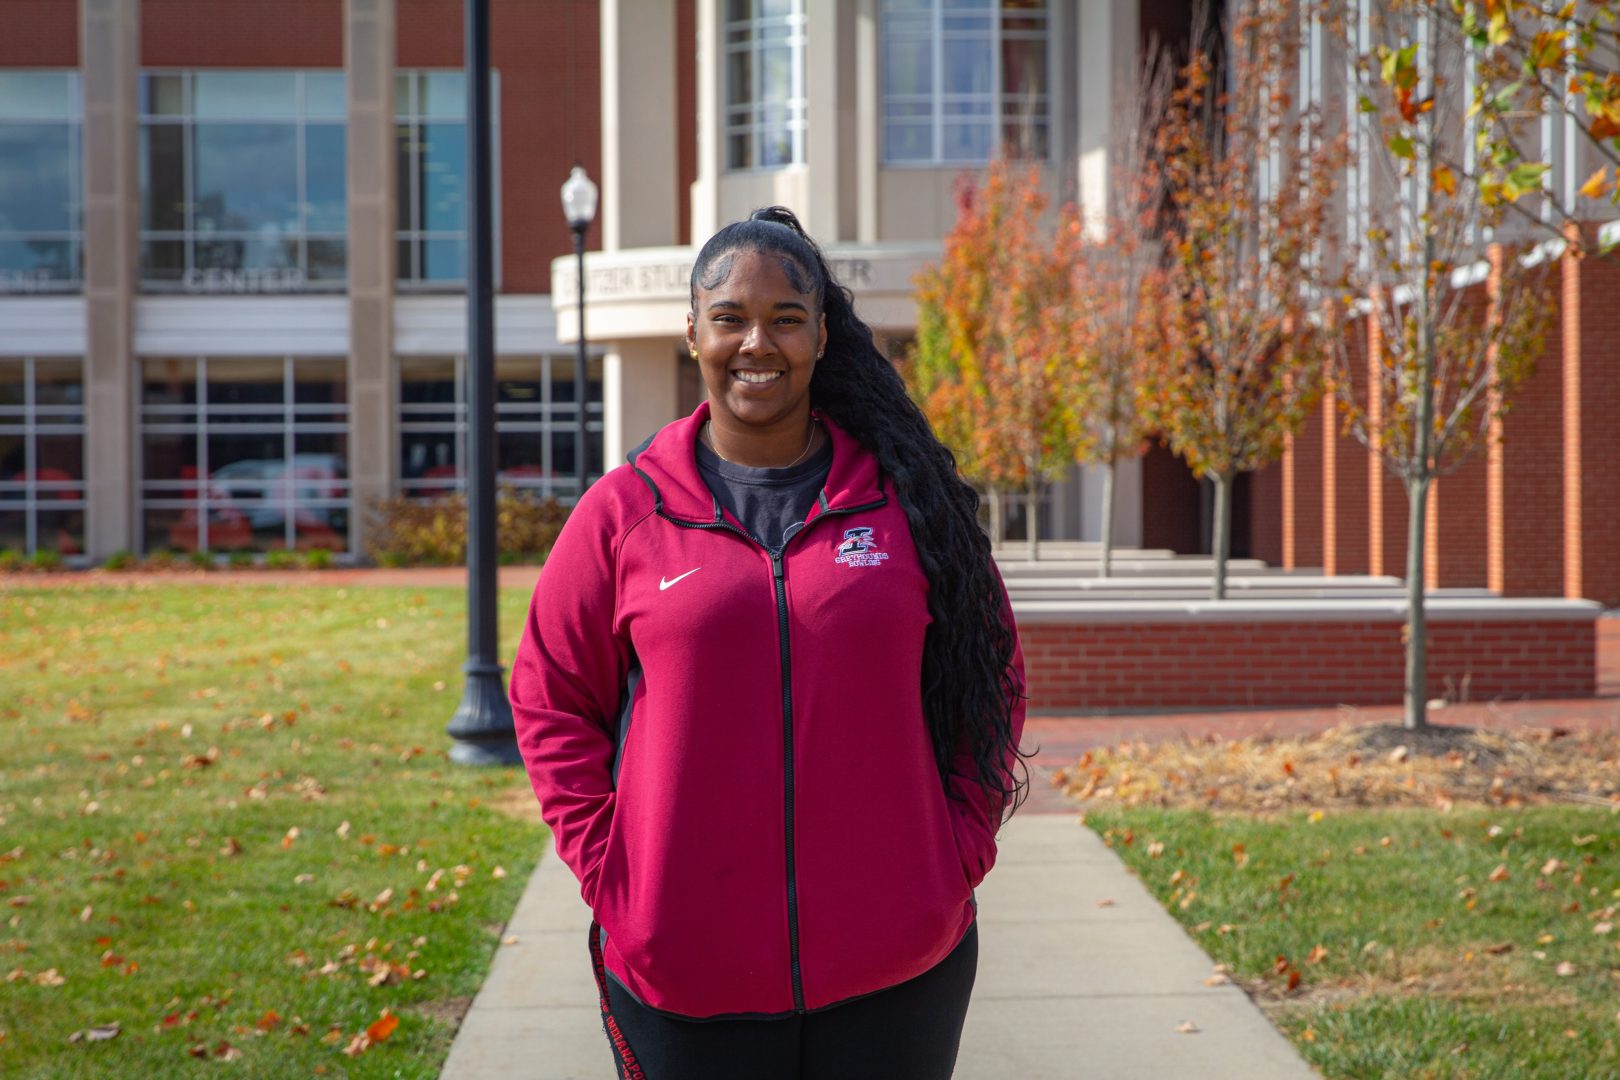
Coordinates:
<point>939,101</point>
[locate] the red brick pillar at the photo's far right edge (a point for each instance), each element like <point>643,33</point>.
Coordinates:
<point>1592,370</point>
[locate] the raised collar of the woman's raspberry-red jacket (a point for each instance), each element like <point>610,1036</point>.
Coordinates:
<point>668,464</point>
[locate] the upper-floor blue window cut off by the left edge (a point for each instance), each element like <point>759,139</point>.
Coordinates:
<point>41,181</point>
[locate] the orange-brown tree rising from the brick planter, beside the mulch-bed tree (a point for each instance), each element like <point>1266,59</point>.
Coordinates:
<point>1250,174</point>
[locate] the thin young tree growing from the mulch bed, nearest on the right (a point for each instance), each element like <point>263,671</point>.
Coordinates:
<point>1447,359</point>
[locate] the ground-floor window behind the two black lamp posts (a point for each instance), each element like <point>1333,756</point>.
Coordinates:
<point>537,417</point>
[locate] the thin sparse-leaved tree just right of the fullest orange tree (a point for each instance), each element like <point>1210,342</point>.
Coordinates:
<point>1119,286</point>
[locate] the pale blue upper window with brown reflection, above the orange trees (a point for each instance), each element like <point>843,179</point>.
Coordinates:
<point>965,80</point>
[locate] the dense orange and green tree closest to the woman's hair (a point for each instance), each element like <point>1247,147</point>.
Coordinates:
<point>991,365</point>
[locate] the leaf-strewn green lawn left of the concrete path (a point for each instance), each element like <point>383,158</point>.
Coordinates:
<point>229,828</point>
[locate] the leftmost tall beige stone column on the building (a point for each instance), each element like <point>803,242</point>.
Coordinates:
<point>111,64</point>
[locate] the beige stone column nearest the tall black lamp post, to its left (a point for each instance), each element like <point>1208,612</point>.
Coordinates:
<point>373,410</point>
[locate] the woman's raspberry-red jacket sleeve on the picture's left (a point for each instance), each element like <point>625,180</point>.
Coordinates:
<point>566,686</point>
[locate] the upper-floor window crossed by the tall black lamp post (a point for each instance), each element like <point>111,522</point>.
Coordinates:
<point>432,138</point>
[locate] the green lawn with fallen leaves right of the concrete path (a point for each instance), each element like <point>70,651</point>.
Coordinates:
<point>1405,945</point>
